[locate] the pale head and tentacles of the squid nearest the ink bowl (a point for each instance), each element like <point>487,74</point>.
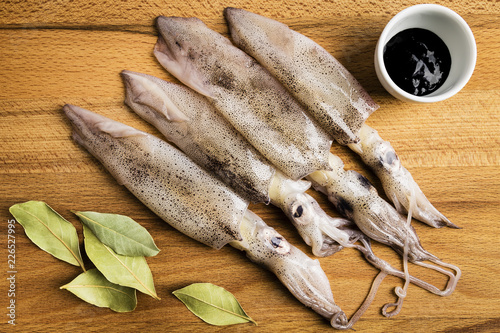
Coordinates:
<point>396,180</point>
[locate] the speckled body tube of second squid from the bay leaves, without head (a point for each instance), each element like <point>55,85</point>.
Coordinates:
<point>187,119</point>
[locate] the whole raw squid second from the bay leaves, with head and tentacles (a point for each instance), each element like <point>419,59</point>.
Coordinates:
<point>188,120</point>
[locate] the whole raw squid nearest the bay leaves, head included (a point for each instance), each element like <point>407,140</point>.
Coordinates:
<point>199,205</point>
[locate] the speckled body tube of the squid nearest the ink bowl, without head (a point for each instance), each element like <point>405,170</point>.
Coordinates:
<point>318,80</point>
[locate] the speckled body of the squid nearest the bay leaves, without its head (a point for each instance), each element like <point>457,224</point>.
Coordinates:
<point>162,177</point>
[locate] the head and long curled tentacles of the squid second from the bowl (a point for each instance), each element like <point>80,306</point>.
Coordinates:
<point>357,199</point>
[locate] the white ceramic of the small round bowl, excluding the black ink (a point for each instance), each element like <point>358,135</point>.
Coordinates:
<point>455,33</point>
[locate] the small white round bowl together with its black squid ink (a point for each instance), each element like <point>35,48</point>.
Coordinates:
<point>426,53</point>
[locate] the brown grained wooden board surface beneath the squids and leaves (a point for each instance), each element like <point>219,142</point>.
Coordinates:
<point>57,52</point>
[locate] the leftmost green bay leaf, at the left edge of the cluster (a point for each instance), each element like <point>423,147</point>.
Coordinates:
<point>49,230</point>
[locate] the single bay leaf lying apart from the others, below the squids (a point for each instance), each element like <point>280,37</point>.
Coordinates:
<point>213,304</point>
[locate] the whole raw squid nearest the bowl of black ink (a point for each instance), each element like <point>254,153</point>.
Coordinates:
<point>331,95</point>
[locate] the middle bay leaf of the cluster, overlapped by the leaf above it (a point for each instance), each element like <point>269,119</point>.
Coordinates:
<point>126,271</point>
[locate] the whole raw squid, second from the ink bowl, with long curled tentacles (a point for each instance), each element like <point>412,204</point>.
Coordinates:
<point>241,90</point>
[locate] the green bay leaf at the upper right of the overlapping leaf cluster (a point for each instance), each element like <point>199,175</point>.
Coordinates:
<point>121,233</point>
